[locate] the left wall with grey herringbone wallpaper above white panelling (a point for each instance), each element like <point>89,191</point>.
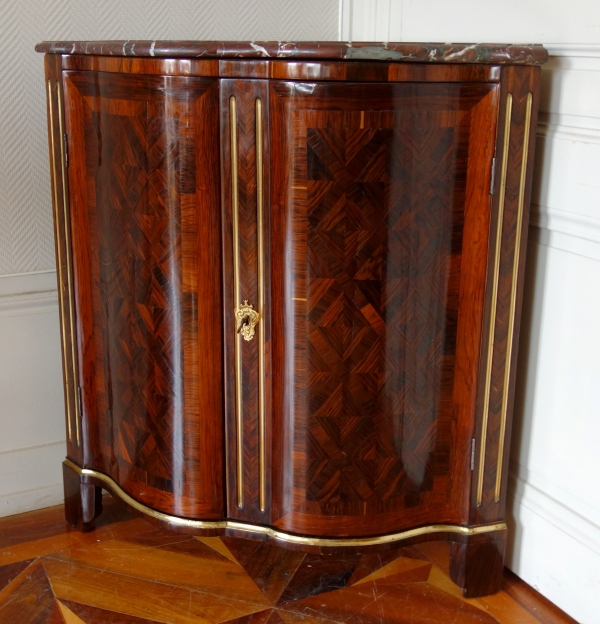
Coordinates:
<point>31,394</point>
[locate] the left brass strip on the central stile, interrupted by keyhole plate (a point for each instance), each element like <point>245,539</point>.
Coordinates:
<point>239,414</point>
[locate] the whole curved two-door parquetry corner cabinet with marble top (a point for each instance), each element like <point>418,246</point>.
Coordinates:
<point>290,280</point>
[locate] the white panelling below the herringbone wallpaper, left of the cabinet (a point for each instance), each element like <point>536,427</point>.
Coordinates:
<point>32,443</point>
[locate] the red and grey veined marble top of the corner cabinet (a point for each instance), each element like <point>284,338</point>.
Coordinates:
<point>488,53</point>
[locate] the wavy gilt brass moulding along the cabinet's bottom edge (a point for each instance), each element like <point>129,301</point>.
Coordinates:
<point>281,535</point>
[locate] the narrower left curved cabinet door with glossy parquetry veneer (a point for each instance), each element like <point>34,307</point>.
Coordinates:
<point>144,195</point>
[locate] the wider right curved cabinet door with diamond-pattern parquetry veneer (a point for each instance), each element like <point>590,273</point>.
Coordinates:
<point>380,215</point>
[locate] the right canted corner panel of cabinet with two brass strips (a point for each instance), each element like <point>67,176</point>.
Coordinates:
<point>504,289</point>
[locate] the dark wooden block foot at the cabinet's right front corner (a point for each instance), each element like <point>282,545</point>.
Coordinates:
<point>477,566</point>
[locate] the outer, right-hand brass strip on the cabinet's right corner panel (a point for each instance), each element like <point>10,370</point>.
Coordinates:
<point>513,297</point>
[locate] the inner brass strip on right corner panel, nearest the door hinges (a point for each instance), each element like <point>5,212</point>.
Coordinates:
<point>494,301</point>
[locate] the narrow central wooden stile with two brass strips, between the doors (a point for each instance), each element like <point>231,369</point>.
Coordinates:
<point>245,174</point>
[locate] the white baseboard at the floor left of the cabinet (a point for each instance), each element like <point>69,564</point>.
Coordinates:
<point>39,465</point>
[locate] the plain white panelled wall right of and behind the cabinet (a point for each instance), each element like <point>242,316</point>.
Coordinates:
<point>554,489</point>
